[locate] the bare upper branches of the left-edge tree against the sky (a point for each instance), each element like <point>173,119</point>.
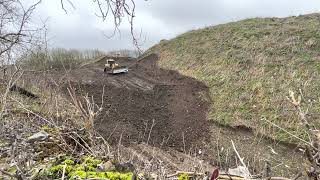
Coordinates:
<point>16,30</point>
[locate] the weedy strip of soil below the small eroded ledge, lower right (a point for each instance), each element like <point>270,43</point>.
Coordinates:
<point>285,159</point>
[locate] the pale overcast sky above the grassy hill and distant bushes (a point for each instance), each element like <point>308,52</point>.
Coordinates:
<point>157,19</point>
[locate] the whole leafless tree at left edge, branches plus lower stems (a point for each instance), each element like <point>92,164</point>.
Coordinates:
<point>17,35</point>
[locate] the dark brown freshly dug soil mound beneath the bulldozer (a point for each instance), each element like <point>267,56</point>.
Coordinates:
<point>148,104</point>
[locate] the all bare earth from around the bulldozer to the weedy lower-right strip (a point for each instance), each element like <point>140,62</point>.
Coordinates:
<point>168,110</point>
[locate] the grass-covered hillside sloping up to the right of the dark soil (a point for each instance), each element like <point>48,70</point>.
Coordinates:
<point>250,66</point>
